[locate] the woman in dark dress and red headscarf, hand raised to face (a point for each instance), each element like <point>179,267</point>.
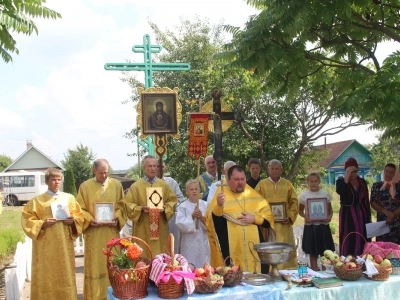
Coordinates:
<point>354,211</point>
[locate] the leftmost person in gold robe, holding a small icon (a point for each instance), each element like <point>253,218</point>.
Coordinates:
<point>53,255</point>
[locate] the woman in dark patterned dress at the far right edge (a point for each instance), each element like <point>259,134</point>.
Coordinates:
<point>385,199</point>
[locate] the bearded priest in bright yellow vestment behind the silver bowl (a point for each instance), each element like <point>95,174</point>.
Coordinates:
<point>236,215</point>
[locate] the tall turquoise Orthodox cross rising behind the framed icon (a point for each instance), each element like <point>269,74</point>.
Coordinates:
<point>148,67</point>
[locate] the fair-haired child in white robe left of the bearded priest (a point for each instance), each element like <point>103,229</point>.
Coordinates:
<point>194,242</point>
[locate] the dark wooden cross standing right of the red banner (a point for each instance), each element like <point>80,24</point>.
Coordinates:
<point>218,117</point>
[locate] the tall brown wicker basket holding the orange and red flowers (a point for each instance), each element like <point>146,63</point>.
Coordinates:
<point>130,283</point>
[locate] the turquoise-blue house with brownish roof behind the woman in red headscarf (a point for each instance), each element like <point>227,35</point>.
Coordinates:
<point>338,153</point>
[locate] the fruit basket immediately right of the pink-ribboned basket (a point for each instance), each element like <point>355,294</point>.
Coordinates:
<point>206,280</point>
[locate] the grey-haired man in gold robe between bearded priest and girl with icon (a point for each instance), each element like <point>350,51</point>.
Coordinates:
<point>277,189</point>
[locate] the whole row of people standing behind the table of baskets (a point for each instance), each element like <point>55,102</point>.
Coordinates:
<point>217,220</point>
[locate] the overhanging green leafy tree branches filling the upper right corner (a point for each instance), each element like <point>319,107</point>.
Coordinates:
<point>291,42</point>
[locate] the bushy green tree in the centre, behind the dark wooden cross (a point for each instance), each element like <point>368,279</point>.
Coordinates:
<point>197,42</point>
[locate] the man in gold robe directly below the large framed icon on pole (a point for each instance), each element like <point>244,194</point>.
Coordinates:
<point>139,212</point>
